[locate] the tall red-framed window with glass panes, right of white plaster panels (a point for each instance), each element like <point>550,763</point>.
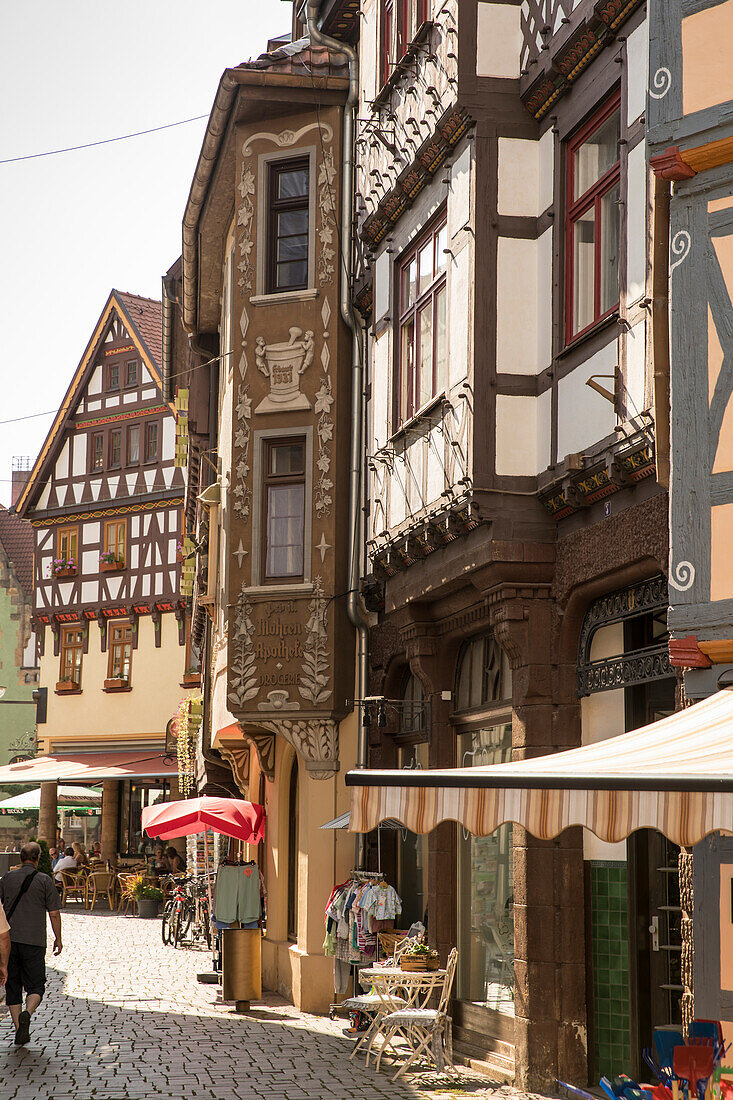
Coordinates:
<point>594,221</point>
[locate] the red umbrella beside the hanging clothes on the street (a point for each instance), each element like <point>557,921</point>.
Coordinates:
<point>245,821</point>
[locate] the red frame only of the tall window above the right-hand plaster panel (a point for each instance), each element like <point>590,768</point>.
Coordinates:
<point>575,210</point>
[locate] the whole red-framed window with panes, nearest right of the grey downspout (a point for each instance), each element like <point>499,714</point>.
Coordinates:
<point>423,335</point>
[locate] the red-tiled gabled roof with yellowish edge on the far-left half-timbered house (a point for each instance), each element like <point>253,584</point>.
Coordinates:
<point>143,317</point>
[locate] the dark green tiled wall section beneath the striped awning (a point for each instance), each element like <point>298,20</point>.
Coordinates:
<point>610,938</point>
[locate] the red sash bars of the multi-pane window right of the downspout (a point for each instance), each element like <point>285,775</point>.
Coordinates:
<point>408,394</point>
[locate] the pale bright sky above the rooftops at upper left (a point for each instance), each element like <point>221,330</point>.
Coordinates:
<point>76,225</point>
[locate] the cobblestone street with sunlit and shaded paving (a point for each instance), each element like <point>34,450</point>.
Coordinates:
<point>125,1017</point>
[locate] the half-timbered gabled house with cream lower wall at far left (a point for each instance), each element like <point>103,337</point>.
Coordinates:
<point>105,502</point>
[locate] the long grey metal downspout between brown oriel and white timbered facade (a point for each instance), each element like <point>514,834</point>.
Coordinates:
<point>355,609</point>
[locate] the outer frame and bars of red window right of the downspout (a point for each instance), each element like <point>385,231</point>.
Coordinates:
<point>406,404</point>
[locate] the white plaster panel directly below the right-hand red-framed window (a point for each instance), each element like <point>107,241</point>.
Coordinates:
<point>584,416</point>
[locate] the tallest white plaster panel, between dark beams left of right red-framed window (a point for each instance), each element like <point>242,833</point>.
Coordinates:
<point>517,306</point>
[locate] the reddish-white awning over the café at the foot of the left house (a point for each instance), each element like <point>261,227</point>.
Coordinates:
<point>90,767</point>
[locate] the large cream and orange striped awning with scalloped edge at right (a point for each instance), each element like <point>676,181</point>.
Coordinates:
<point>675,776</point>
